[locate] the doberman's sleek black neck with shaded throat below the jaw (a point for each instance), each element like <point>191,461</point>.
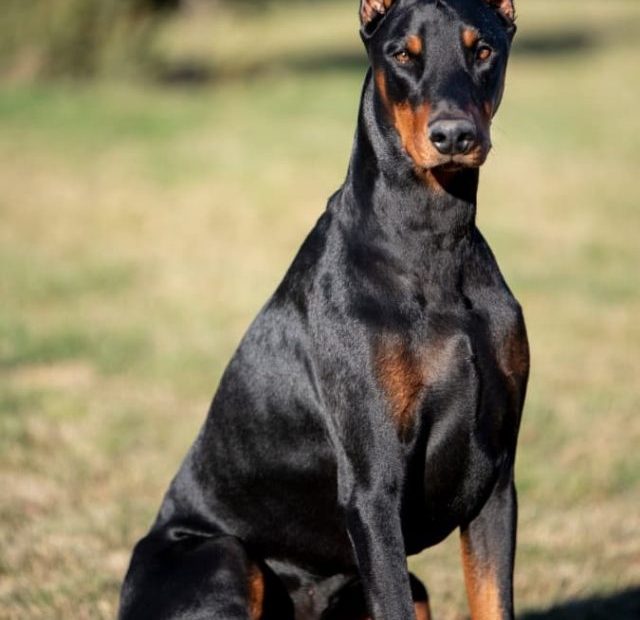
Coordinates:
<point>384,191</point>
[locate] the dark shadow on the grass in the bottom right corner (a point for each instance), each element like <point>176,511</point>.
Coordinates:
<point>624,605</point>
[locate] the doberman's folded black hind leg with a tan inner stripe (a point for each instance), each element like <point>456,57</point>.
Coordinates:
<point>175,574</point>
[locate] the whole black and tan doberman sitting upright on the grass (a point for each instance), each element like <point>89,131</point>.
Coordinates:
<point>374,404</point>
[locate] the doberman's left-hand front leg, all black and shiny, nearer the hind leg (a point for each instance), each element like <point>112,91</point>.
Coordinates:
<point>370,493</point>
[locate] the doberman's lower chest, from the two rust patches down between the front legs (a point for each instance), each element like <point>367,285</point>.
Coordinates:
<point>454,391</point>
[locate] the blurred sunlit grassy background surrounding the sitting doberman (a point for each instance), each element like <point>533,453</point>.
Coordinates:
<point>161,162</point>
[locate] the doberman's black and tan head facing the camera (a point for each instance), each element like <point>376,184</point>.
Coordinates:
<point>439,68</point>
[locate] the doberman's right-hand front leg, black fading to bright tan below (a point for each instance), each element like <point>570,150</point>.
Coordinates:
<point>488,550</point>
